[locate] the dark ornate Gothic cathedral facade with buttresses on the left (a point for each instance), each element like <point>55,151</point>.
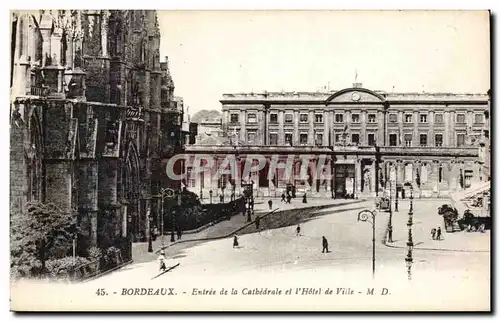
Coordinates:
<point>93,114</point>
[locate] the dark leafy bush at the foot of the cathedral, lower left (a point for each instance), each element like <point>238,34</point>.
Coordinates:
<point>40,233</point>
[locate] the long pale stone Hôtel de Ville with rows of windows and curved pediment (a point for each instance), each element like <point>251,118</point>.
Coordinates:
<point>371,140</point>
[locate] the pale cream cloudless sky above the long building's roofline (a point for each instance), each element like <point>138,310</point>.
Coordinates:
<point>217,52</point>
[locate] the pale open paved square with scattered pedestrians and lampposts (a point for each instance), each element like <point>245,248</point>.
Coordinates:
<point>279,254</point>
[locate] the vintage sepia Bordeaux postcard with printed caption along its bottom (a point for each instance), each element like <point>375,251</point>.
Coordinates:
<point>250,160</point>
